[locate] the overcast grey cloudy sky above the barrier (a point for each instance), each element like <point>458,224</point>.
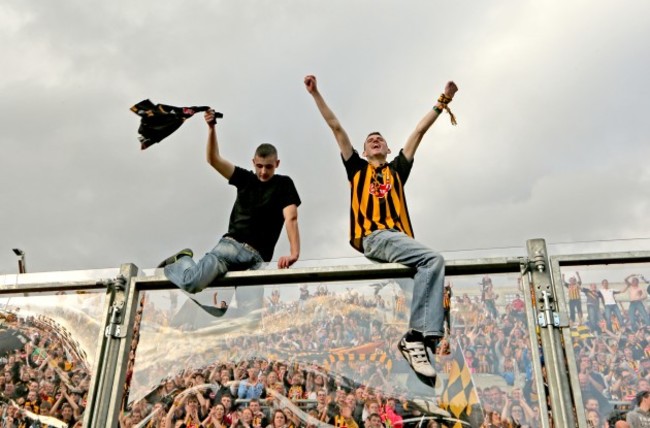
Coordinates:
<point>552,141</point>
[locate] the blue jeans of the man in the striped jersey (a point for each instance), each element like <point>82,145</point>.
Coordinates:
<point>427,314</point>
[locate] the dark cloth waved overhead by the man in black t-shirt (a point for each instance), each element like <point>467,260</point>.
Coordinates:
<point>158,121</point>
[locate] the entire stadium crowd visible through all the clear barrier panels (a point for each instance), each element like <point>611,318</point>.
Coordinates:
<point>310,374</point>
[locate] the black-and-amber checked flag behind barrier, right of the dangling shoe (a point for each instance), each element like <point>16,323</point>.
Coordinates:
<point>459,396</point>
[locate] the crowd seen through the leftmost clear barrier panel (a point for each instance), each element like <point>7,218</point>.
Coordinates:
<point>45,375</point>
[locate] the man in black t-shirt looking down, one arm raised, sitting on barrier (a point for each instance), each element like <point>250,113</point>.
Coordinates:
<point>265,202</point>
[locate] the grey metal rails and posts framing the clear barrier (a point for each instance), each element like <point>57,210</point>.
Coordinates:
<point>123,286</point>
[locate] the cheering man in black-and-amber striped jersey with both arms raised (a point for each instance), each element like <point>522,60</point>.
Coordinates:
<point>380,227</point>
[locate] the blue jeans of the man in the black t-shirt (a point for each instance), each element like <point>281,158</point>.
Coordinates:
<point>228,255</point>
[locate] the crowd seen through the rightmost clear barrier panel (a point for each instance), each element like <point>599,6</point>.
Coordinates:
<point>613,355</point>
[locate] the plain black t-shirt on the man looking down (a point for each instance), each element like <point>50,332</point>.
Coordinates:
<point>256,218</point>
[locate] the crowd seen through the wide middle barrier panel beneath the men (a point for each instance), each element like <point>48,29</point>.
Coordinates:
<point>291,362</point>
